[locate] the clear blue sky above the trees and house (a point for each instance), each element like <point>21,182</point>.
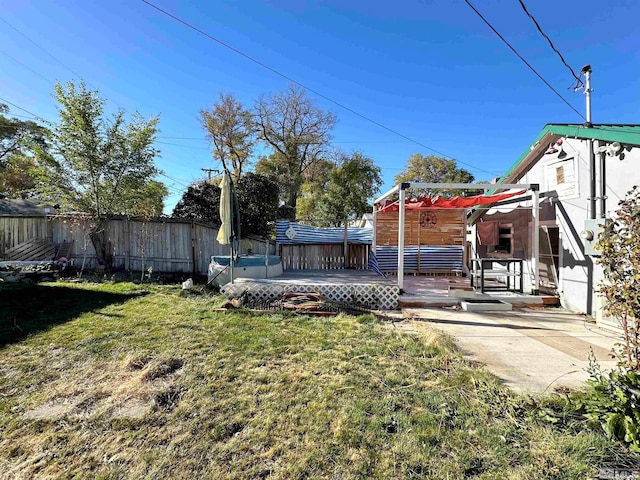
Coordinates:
<point>431,70</point>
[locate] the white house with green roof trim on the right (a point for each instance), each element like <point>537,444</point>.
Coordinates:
<point>582,172</point>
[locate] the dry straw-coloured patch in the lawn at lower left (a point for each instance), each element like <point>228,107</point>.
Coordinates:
<point>129,389</point>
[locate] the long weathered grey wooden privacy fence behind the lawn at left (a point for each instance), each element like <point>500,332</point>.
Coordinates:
<point>165,245</point>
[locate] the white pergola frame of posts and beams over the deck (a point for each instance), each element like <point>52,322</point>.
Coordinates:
<point>401,188</point>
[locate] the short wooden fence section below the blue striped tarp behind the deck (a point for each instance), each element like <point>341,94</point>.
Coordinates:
<point>324,256</point>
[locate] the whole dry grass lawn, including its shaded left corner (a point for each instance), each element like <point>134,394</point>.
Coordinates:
<point>122,381</point>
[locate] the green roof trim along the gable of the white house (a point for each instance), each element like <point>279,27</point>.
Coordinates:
<point>625,134</point>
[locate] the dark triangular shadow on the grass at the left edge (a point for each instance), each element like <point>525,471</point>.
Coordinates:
<point>29,309</point>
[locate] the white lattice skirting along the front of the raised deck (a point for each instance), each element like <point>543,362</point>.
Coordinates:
<point>381,297</point>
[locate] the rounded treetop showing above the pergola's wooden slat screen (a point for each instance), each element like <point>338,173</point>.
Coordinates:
<point>432,169</point>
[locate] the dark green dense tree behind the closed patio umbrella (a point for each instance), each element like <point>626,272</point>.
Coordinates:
<point>257,199</point>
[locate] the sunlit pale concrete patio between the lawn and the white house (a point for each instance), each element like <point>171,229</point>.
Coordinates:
<point>532,350</point>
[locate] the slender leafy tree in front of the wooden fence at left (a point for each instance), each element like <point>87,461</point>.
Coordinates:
<point>97,165</point>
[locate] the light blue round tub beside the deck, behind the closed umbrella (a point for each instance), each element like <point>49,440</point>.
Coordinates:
<point>247,266</point>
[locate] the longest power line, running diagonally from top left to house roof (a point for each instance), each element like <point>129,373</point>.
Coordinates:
<point>292,80</point>
